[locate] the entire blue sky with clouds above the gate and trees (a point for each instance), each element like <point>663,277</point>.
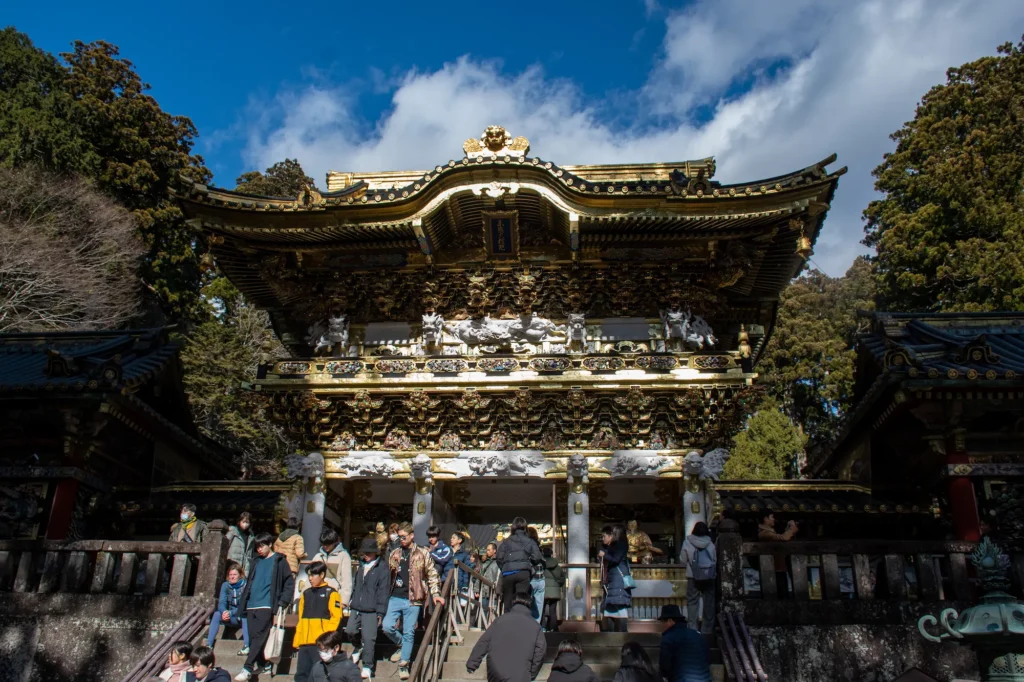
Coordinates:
<point>764,88</point>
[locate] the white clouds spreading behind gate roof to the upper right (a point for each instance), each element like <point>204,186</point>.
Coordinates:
<point>851,74</point>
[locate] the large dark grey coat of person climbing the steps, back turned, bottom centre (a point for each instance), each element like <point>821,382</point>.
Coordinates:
<point>515,646</point>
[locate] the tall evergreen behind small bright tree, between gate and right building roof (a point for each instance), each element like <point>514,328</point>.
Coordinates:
<point>809,363</point>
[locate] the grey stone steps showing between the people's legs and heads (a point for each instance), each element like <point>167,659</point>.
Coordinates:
<point>602,653</point>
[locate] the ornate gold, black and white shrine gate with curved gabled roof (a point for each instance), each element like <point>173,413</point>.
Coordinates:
<point>500,318</point>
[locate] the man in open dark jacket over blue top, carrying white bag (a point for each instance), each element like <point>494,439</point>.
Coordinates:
<point>271,586</point>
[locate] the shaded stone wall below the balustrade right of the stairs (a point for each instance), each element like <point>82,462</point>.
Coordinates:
<point>858,654</point>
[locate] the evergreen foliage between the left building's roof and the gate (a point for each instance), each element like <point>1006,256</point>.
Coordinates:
<point>220,356</point>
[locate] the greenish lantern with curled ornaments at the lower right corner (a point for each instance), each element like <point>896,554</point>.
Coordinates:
<point>995,628</point>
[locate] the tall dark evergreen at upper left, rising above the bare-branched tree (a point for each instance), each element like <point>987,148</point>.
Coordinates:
<point>91,116</point>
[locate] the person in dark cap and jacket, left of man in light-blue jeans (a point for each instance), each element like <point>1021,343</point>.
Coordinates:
<point>369,605</point>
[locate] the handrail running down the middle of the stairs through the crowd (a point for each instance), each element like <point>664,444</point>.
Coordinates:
<point>461,610</point>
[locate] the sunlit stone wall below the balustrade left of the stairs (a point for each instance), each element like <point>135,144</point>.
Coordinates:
<point>80,637</point>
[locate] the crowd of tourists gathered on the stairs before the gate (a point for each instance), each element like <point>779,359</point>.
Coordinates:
<point>394,579</point>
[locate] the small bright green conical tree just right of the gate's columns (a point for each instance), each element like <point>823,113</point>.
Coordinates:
<point>769,449</point>
